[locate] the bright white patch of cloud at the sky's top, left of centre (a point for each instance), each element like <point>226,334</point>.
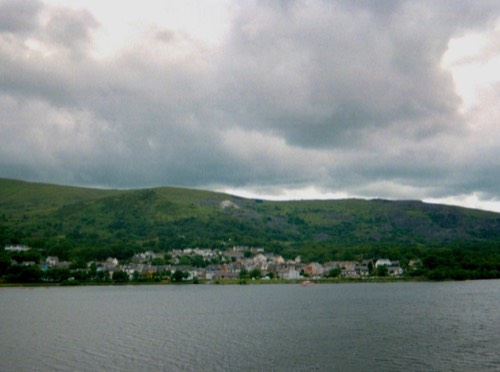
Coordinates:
<point>127,21</point>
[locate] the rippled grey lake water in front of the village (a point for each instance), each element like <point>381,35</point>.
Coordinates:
<point>453,326</point>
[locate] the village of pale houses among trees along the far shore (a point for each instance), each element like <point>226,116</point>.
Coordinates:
<point>215,265</point>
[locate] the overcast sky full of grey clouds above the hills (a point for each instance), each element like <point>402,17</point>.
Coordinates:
<point>275,99</point>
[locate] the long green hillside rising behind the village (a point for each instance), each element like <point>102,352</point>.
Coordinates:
<point>95,223</point>
